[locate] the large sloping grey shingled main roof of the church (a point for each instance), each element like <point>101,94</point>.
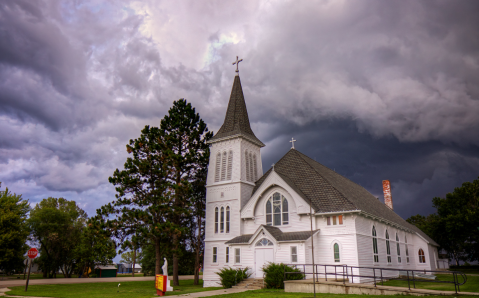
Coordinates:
<point>329,191</point>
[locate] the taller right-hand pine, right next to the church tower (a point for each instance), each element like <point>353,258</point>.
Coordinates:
<point>185,135</point>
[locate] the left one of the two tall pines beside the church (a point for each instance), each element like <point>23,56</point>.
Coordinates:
<point>143,195</point>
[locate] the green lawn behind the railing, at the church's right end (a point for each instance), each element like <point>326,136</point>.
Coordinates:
<point>472,284</point>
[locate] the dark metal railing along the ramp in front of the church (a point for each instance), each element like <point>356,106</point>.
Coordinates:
<point>375,274</point>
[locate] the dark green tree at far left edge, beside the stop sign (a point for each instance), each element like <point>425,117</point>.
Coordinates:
<point>13,231</point>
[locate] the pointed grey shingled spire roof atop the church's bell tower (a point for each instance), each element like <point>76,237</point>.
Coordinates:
<point>236,119</point>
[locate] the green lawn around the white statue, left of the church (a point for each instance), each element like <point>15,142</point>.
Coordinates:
<point>130,289</point>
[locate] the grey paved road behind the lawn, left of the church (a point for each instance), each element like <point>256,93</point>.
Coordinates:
<point>58,281</point>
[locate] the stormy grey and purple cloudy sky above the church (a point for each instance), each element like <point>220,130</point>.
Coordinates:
<point>372,89</point>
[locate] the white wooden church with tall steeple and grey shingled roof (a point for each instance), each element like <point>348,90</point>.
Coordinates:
<point>254,218</point>
